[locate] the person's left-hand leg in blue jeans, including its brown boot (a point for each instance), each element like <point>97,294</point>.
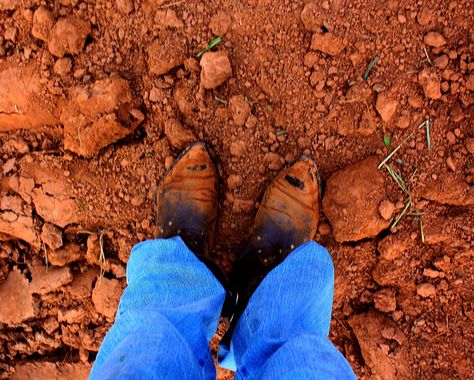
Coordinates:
<point>172,304</point>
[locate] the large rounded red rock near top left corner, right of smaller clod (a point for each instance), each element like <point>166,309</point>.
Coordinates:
<point>68,36</point>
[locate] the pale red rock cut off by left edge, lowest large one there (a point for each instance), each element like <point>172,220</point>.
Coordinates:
<point>16,302</point>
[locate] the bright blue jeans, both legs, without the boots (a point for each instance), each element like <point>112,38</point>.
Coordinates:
<point>171,308</point>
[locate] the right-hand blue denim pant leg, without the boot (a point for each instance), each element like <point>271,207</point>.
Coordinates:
<point>283,332</point>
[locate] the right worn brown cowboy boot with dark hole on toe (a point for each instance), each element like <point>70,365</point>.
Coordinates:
<point>288,217</point>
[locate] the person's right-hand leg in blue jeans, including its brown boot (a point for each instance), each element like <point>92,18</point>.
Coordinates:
<point>284,295</point>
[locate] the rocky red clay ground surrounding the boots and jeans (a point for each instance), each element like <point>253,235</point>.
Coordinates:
<point>98,97</point>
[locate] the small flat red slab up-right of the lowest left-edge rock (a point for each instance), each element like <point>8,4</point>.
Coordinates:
<point>48,279</point>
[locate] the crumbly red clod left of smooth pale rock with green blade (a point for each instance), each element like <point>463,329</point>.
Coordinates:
<point>166,52</point>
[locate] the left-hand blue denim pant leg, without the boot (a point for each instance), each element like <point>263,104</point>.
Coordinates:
<point>166,317</point>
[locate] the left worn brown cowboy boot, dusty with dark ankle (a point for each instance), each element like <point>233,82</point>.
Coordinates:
<point>186,203</point>
